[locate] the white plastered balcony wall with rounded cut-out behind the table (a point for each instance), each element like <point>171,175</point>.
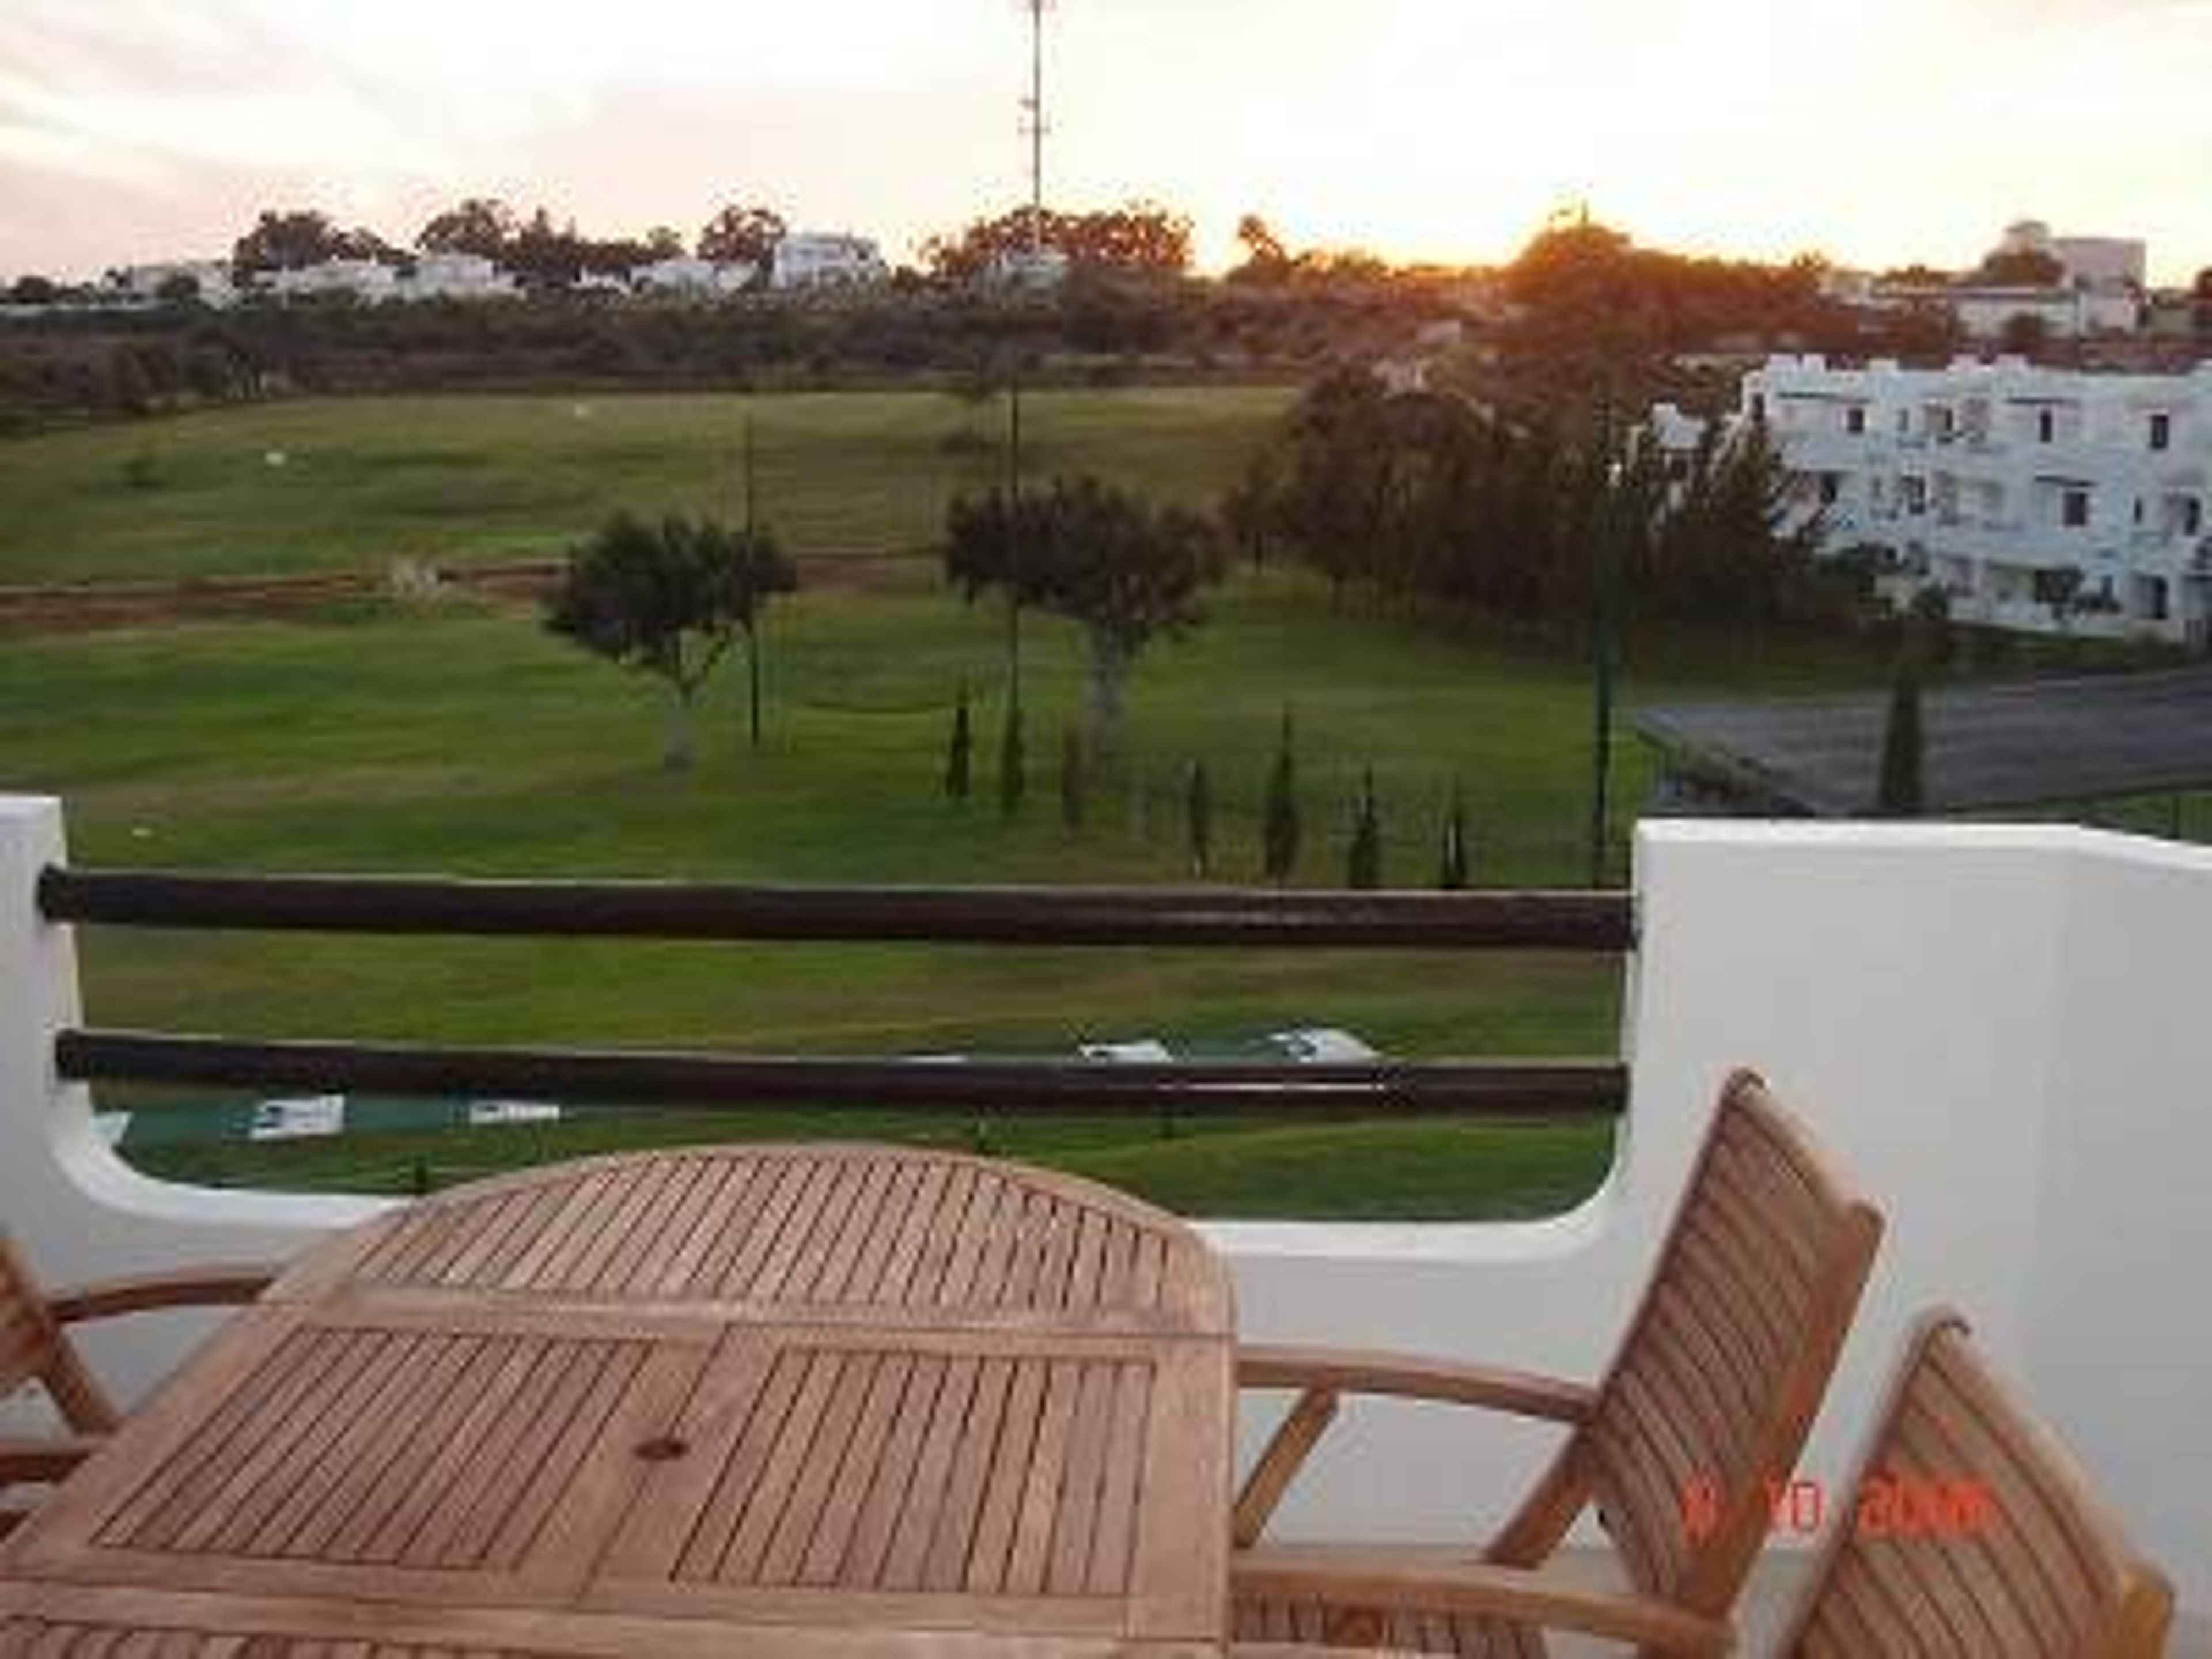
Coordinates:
<point>1992,1027</point>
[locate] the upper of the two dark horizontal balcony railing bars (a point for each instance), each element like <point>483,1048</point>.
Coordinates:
<point>1087,917</point>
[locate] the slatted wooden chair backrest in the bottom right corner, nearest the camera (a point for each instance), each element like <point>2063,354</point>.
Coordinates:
<point>1970,1530</point>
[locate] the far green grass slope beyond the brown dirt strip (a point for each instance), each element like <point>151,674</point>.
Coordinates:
<point>466,477</point>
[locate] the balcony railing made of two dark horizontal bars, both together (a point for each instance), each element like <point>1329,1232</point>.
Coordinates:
<point>1587,924</point>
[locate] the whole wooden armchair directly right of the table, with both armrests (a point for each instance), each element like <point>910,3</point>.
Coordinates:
<point>1709,1399</point>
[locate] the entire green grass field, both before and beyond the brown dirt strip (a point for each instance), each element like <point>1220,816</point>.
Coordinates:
<point>461,738</point>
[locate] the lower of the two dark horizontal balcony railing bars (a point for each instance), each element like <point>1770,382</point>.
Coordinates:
<point>629,1078</point>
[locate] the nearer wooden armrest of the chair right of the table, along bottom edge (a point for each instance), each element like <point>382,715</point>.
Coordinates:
<point>1355,1580</point>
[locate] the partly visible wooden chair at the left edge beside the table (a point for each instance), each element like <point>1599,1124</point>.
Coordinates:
<point>34,1344</point>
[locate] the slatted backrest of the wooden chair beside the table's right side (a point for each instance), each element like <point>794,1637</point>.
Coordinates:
<point>1722,1370</point>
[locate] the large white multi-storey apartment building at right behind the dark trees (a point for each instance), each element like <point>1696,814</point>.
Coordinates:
<point>2036,499</point>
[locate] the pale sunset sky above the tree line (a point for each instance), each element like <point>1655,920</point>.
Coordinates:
<point>1448,129</point>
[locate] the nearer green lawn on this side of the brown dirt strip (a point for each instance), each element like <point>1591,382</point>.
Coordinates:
<point>463,738</point>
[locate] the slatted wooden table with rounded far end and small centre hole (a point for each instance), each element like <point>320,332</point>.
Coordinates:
<point>771,1401</point>
